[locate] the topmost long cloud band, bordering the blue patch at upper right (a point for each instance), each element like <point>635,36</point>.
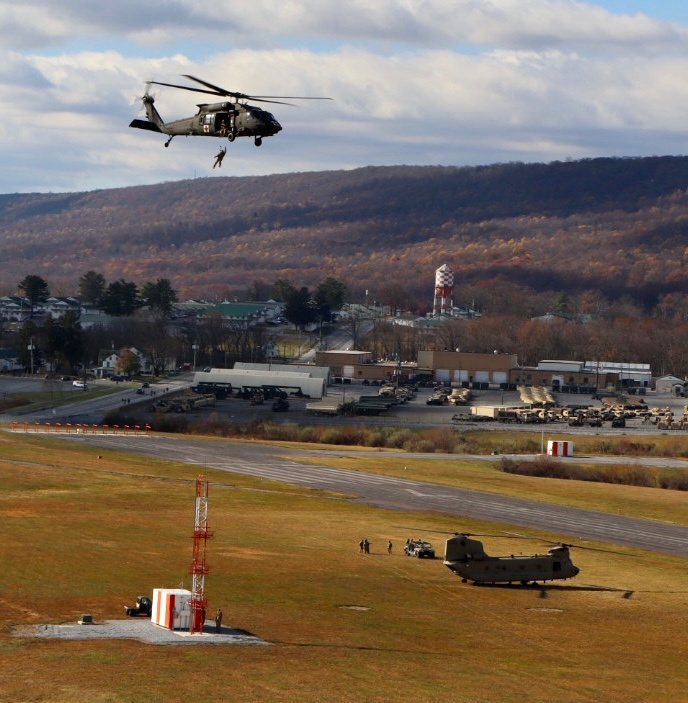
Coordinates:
<point>508,23</point>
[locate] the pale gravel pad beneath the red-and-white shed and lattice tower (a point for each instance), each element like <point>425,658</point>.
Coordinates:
<point>138,629</point>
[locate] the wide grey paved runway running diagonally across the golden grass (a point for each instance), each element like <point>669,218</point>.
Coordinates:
<point>282,464</point>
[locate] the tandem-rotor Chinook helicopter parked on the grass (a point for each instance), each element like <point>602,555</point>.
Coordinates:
<point>467,559</point>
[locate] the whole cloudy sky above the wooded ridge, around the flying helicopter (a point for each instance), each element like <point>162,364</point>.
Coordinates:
<point>452,82</point>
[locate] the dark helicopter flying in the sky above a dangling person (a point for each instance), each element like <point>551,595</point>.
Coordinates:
<point>228,119</point>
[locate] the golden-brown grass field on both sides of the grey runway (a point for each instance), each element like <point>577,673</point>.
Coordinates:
<point>86,535</point>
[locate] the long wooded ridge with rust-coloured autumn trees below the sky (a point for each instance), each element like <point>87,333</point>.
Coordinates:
<point>588,233</point>
